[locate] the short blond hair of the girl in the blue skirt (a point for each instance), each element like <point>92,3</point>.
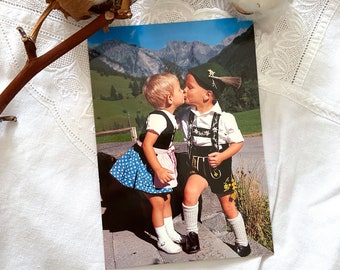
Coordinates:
<point>158,87</point>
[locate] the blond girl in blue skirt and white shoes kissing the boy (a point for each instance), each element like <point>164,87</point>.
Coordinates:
<point>150,165</point>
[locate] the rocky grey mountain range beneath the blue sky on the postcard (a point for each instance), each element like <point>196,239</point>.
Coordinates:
<point>141,62</point>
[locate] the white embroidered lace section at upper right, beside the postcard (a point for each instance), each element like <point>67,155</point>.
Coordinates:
<point>286,54</point>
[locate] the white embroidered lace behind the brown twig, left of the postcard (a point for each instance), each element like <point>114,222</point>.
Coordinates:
<point>70,101</point>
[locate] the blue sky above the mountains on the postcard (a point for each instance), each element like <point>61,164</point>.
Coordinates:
<point>156,36</point>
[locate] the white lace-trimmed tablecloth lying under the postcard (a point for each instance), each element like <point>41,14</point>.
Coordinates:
<point>49,197</point>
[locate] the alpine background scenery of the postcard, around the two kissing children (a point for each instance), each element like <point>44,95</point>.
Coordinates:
<point>120,61</point>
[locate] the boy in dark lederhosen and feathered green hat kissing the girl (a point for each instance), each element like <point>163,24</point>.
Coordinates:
<point>213,137</point>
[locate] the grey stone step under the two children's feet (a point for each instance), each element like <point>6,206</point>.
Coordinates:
<point>125,249</point>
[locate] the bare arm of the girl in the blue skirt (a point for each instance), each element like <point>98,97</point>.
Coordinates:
<point>164,175</point>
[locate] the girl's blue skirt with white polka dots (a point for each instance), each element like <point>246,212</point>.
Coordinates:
<point>131,172</point>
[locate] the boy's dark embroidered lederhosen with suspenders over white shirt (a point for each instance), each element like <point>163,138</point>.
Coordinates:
<point>220,179</point>
